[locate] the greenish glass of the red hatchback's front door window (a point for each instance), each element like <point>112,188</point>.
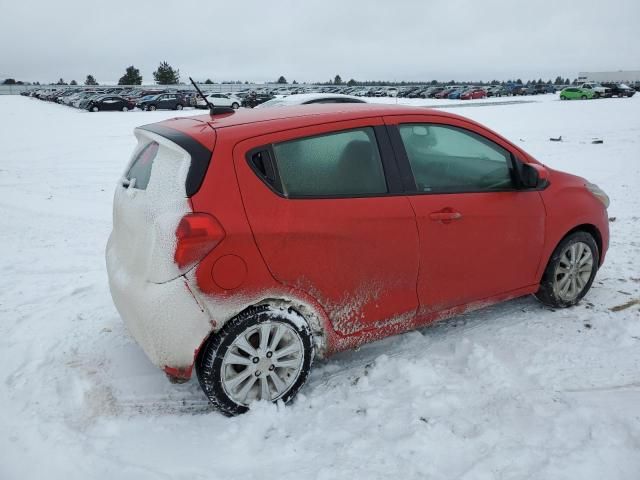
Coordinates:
<point>450,159</point>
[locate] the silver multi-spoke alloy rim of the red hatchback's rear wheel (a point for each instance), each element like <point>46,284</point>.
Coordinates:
<point>262,363</point>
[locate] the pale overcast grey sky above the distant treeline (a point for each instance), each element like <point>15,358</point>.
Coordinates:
<point>309,40</point>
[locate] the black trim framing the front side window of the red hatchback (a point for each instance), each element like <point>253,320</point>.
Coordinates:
<point>409,179</point>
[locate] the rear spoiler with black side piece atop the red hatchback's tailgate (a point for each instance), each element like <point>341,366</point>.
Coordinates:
<point>200,155</point>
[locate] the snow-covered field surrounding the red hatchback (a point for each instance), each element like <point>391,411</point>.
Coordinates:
<point>514,391</point>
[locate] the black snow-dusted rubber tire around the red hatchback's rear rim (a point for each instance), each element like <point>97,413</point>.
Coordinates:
<point>210,358</point>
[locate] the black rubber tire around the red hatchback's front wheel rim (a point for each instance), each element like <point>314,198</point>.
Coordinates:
<point>547,293</point>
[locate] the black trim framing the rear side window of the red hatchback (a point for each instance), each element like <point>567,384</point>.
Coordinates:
<point>385,150</point>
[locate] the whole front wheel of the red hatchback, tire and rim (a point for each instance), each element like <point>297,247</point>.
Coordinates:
<point>570,271</point>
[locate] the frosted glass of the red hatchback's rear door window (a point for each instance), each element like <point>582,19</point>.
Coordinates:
<point>342,163</point>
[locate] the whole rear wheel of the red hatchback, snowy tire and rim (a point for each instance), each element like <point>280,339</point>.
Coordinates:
<point>263,354</point>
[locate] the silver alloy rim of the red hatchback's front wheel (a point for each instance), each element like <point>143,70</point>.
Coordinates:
<point>573,271</point>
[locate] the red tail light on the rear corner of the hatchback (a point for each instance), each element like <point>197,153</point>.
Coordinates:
<point>197,234</point>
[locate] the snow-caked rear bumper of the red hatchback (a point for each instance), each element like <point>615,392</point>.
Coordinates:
<point>164,318</point>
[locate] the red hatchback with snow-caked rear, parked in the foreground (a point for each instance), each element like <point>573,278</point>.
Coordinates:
<point>247,243</point>
